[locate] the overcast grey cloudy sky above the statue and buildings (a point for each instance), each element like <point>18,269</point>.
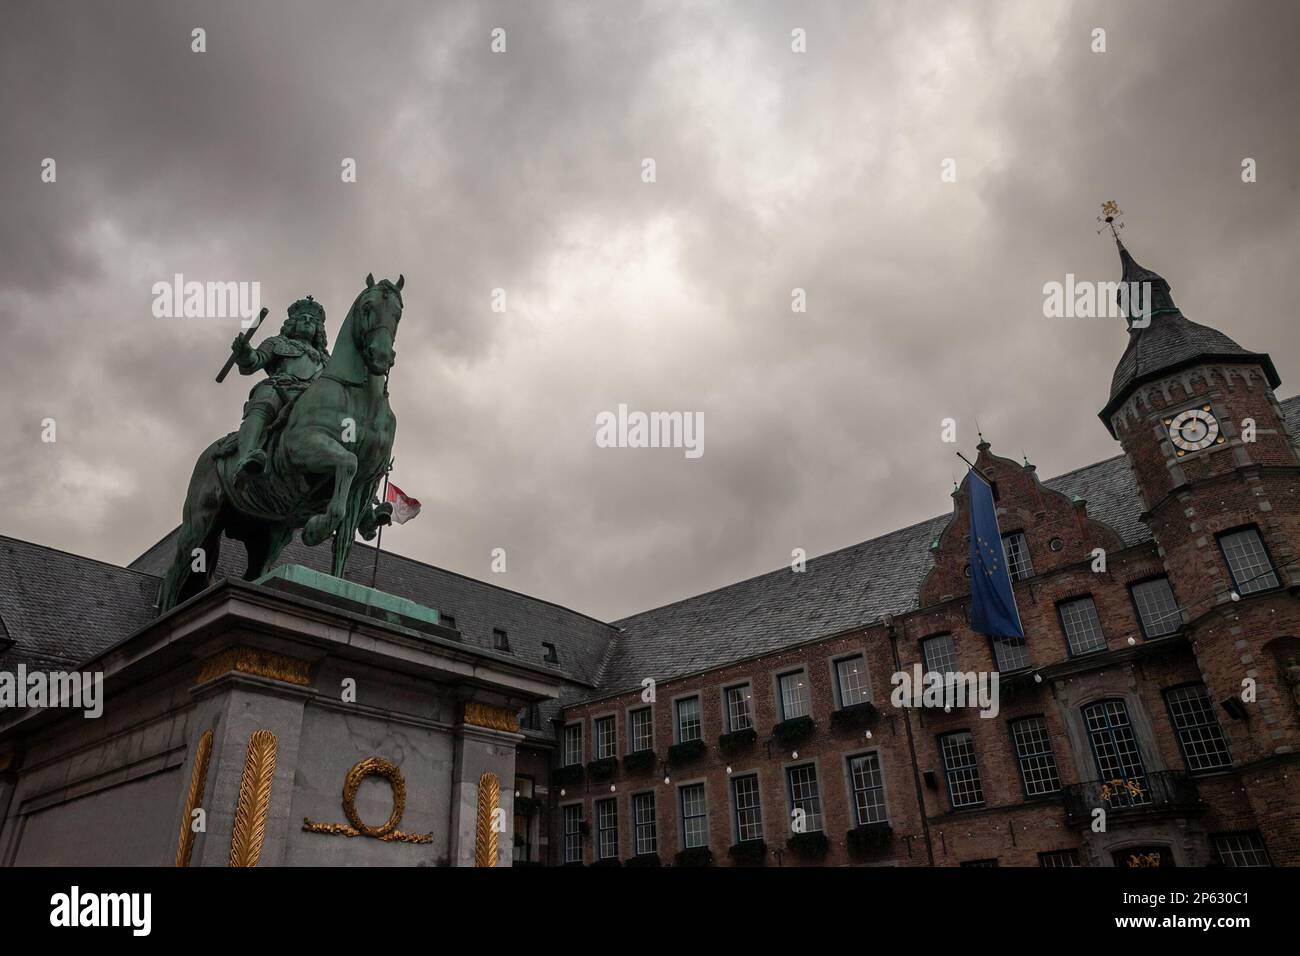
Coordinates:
<point>523,171</point>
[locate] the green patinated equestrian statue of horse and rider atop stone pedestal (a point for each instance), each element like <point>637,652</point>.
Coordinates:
<point>315,444</point>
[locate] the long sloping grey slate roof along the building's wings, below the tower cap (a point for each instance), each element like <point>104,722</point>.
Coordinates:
<point>63,609</point>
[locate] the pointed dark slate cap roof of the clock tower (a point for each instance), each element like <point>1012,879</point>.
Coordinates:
<point>1169,343</point>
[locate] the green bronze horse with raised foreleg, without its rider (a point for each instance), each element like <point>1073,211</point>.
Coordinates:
<point>326,464</point>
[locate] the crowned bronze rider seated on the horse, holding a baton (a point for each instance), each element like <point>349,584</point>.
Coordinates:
<point>293,360</point>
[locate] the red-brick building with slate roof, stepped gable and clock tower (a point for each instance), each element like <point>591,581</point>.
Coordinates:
<point>1150,717</point>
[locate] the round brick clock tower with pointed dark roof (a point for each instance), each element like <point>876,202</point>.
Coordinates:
<point>1220,478</point>
